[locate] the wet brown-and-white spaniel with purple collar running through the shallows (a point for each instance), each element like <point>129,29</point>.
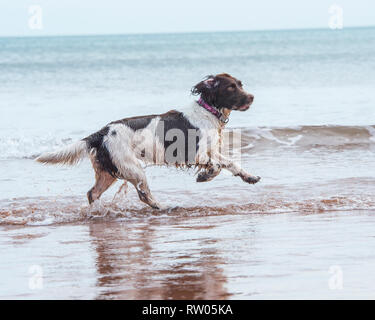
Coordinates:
<point>192,138</point>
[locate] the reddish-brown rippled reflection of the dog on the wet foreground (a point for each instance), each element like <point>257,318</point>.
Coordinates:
<point>150,260</point>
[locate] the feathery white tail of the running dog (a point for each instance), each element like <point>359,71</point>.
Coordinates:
<point>70,155</point>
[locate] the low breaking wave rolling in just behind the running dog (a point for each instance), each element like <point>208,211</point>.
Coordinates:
<point>306,137</point>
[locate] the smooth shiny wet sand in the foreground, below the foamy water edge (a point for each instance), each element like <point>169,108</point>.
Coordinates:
<point>228,256</point>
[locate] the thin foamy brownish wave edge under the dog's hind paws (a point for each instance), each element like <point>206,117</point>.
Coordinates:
<point>67,210</point>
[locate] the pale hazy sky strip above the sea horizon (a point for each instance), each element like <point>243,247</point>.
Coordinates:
<point>73,17</point>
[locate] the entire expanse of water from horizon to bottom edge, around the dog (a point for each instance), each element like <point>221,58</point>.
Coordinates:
<point>310,135</point>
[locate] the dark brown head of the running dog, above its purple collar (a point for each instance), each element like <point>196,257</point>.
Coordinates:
<point>223,91</point>
